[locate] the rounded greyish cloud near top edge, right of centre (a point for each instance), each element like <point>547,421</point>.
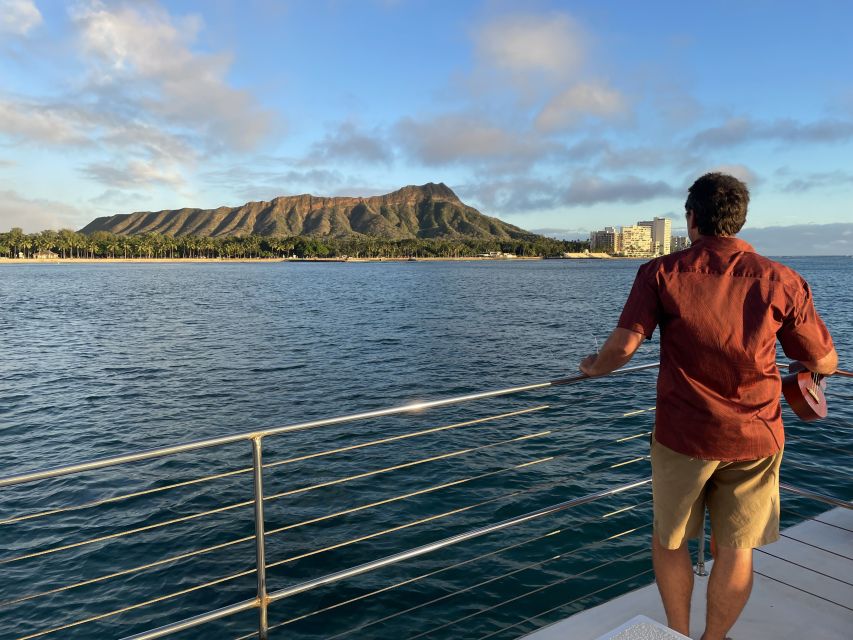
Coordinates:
<point>553,45</point>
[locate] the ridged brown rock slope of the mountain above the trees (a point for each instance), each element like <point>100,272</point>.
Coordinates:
<point>427,211</point>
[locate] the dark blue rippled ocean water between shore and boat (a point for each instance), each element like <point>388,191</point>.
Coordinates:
<point>104,359</point>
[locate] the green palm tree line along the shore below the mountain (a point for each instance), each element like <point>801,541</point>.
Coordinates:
<point>101,244</point>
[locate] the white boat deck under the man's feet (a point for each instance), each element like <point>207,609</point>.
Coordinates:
<point>803,589</point>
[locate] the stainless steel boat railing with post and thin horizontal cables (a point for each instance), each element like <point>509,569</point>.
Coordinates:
<point>263,598</point>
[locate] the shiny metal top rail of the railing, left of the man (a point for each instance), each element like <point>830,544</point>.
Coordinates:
<point>101,463</point>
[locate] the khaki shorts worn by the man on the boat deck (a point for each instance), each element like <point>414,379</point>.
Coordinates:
<point>742,498</point>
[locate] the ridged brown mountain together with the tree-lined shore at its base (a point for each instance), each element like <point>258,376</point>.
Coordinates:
<point>426,221</point>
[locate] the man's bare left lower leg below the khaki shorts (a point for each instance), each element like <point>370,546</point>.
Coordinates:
<point>674,577</point>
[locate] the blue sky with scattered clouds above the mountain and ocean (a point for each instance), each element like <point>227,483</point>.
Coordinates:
<point>559,117</point>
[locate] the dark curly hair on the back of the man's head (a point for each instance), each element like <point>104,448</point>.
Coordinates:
<point>719,203</point>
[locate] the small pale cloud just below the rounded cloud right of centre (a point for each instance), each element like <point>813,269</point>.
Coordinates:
<point>578,102</point>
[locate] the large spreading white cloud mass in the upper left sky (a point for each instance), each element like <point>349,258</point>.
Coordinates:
<point>147,102</point>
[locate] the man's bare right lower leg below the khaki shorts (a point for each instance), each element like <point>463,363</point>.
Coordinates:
<point>728,590</point>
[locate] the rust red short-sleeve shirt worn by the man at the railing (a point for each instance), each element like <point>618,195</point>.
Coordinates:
<point>721,307</point>
